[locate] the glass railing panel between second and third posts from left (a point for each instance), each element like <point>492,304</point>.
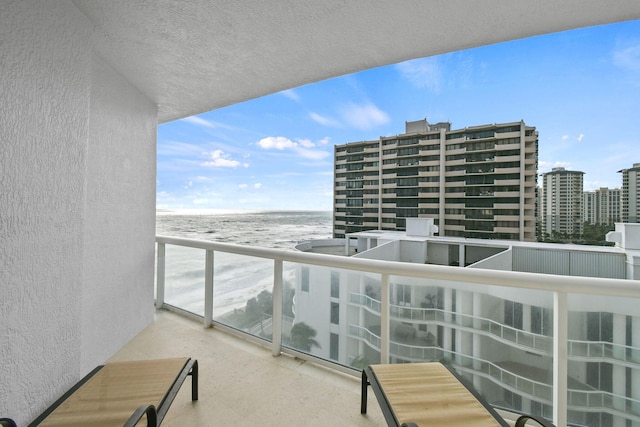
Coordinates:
<point>243,293</point>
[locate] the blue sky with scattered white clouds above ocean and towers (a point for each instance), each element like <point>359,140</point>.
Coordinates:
<point>580,89</point>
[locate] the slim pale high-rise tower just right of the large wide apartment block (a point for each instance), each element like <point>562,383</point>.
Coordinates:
<point>561,210</point>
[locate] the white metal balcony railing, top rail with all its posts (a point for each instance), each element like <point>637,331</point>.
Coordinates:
<point>558,286</point>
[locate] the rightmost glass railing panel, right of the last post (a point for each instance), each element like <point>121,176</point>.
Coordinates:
<point>604,368</point>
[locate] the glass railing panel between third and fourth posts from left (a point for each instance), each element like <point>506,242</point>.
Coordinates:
<point>336,314</point>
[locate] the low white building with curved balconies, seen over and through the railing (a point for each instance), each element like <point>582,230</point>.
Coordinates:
<point>500,340</point>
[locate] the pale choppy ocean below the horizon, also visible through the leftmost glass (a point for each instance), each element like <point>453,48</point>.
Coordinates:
<point>236,278</point>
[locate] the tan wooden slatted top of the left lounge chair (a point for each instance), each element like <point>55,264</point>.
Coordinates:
<point>112,394</point>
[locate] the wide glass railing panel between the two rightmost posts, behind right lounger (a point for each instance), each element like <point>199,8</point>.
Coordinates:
<point>486,332</point>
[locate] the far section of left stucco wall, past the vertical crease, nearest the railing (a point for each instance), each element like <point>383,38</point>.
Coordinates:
<point>119,225</point>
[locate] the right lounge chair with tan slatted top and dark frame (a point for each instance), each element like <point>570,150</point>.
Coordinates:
<point>430,394</point>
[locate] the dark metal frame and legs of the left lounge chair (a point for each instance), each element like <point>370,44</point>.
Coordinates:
<point>154,415</point>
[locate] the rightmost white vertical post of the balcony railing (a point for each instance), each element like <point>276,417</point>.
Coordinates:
<point>560,358</point>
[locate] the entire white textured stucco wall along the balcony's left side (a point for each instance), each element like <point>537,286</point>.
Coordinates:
<point>77,180</point>
